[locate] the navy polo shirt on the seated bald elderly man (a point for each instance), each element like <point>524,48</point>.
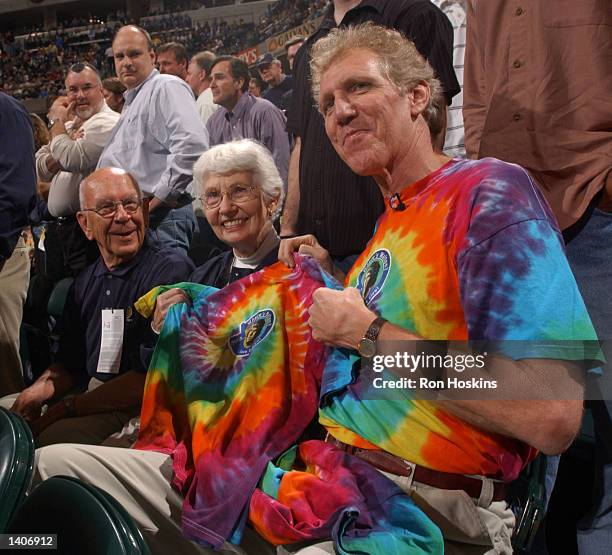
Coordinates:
<point>97,288</point>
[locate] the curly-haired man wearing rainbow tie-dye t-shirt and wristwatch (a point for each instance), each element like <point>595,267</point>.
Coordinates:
<point>465,250</point>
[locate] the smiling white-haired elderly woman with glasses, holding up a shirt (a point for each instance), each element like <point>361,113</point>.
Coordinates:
<point>241,192</point>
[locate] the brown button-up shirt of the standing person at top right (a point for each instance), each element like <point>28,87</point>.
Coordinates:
<point>538,92</point>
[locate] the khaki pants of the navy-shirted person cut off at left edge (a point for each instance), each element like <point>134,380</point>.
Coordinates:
<point>14,280</point>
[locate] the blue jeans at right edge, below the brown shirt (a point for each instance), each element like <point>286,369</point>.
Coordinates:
<point>590,256</point>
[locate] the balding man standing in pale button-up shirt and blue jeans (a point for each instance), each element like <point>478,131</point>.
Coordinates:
<point>158,138</point>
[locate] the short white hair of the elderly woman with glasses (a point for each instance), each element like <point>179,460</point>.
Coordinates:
<point>244,155</point>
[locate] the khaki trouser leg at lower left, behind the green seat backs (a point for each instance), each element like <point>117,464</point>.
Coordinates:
<point>140,481</point>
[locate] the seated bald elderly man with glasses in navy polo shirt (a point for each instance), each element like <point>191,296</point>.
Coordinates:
<point>104,344</point>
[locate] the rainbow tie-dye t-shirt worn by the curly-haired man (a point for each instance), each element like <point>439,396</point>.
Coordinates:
<point>475,254</point>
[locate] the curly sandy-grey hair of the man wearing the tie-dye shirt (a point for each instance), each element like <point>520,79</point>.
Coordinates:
<point>399,60</point>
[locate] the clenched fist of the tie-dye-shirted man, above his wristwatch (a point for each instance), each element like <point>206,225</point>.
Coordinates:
<point>339,318</point>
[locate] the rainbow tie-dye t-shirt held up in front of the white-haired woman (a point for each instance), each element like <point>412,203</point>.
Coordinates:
<point>233,382</point>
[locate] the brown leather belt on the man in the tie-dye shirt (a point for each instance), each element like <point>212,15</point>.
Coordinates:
<point>443,480</point>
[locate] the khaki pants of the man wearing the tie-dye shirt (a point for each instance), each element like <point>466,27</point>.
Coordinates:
<point>140,481</point>
